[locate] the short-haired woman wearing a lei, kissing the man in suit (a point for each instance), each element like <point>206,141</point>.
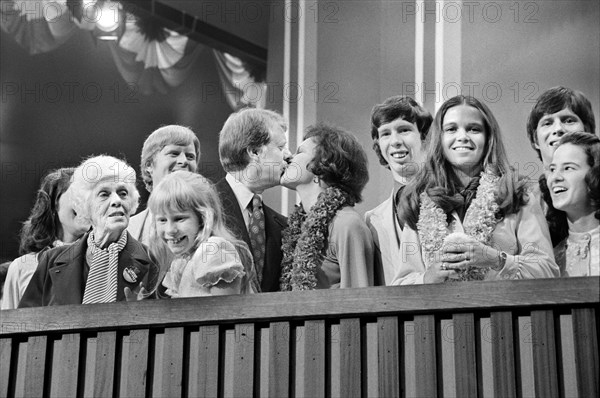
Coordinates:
<point>327,244</point>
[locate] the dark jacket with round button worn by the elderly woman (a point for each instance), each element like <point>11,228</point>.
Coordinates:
<point>61,275</point>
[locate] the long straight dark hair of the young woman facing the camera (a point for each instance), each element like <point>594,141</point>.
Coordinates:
<point>439,179</point>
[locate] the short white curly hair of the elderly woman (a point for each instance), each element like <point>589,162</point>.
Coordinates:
<point>98,169</point>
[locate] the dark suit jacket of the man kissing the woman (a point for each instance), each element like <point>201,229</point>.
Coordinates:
<point>274,224</point>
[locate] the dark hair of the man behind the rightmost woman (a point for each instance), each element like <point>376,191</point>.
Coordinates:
<point>554,100</point>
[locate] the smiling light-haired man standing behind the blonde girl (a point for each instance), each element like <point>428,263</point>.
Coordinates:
<point>167,149</point>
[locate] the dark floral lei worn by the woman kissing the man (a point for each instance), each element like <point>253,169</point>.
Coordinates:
<point>304,240</point>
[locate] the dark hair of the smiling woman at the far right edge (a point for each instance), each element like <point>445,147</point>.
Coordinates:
<point>557,219</point>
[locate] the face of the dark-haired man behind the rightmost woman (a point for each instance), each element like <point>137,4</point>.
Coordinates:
<point>553,126</point>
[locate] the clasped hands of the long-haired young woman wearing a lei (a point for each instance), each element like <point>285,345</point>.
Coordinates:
<point>461,255</point>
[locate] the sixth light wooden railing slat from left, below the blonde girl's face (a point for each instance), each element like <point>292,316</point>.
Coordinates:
<point>172,366</point>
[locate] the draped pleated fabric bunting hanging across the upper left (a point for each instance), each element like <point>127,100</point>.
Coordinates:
<point>153,65</point>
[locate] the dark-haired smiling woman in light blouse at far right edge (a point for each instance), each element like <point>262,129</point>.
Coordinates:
<point>574,215</point>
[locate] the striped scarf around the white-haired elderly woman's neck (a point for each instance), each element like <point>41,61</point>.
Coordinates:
<point>101,285</point>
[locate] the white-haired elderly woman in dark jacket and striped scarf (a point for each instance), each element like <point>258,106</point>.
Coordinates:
<point>105,262</point>
